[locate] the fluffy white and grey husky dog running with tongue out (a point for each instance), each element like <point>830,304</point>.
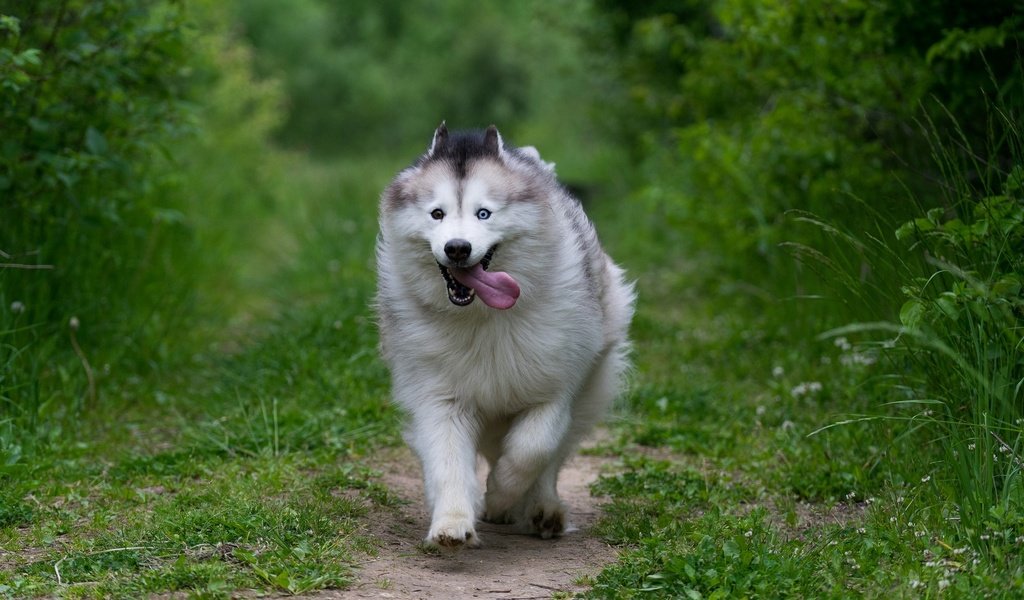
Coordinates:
<point>504,325</point>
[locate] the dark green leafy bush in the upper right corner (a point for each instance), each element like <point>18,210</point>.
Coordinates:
<point>745,111</point>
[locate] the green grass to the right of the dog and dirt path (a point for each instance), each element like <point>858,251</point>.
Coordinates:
<point>761,464</point>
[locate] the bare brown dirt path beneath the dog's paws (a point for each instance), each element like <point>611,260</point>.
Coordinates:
<point>509,566</point>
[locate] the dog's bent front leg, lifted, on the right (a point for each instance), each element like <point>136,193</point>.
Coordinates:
<point>533,446</point>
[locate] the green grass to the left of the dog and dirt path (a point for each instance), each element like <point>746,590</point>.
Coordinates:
<point>242,463</point>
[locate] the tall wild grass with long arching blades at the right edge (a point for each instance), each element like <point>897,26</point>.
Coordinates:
<point>955,351</point>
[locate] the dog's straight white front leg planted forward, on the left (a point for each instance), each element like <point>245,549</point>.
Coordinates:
<point>445,438</point>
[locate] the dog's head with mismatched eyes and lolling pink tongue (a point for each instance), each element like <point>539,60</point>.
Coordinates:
<point>470,198</point>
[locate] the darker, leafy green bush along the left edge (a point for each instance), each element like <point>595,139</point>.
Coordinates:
<point>91,98</point>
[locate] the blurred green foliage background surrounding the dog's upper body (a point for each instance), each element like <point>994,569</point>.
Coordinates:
<point>181,180</point>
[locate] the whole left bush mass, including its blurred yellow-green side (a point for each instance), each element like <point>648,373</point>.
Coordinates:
<point>138,136</point>
